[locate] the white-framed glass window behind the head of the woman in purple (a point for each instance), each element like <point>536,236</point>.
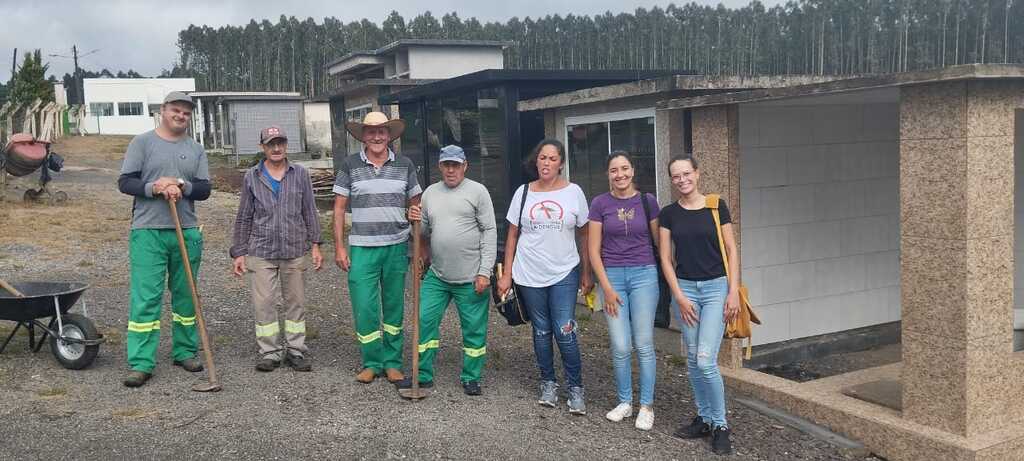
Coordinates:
<point>590,145</point>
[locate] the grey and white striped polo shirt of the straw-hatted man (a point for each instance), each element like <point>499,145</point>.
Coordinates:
<point>378,198</point>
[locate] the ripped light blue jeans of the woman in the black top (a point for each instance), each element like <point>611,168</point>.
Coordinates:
<point>703,342</point>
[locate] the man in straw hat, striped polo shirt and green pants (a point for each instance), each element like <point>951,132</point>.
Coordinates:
<point>378,186</point>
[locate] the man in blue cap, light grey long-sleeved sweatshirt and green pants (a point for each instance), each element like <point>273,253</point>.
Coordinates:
<point>461,244</point>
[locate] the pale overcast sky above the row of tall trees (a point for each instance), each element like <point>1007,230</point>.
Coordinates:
<point>142,34</point>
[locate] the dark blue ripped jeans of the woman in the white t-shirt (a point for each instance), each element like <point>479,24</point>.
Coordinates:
<point>552,313</point>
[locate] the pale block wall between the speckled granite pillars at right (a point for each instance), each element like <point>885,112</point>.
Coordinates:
<point>821,217</point>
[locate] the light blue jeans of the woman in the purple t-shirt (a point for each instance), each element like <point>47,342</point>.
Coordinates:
<point>637,287</point>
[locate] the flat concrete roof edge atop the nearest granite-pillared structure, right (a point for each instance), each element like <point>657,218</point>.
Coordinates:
<point>968,72</point>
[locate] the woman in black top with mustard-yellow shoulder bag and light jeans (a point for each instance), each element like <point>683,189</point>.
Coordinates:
<point>705,299</point>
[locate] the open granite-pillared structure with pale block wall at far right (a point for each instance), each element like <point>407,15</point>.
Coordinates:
<point>875,199</point>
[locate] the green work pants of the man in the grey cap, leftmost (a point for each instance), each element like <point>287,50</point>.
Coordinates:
<point>156,261</point>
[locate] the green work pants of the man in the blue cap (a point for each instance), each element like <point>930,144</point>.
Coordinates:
<point>436,296</point>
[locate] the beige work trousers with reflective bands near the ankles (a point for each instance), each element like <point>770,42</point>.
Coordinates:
<point>276,283</point>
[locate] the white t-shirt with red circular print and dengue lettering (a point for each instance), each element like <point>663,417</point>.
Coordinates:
<point>547,250</point>
